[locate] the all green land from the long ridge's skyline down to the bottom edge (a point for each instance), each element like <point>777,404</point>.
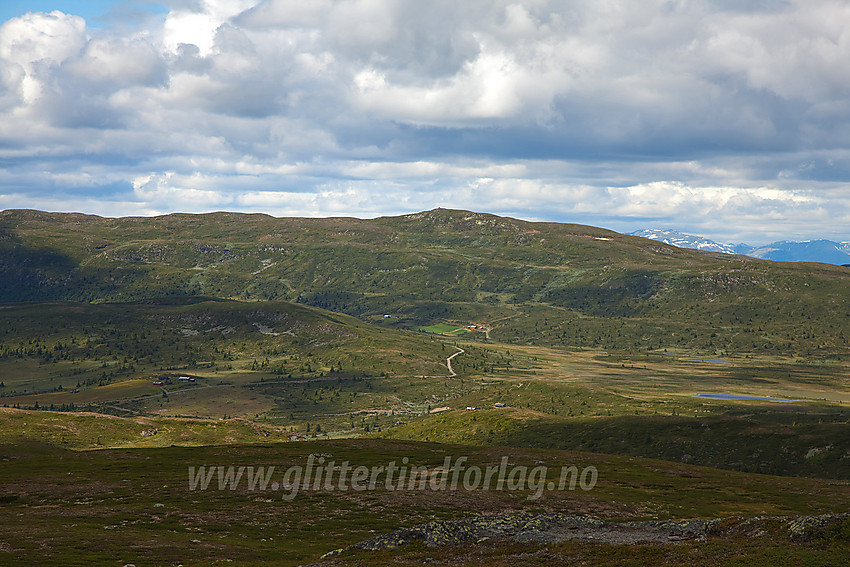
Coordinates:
<point>134,351</point>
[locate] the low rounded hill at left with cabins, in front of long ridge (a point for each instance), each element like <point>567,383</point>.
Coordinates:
<point>274,360</point>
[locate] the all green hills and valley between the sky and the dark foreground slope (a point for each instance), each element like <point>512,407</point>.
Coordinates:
<point>343,327</point>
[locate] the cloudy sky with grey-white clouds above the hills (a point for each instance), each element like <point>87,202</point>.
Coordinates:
<point>724,118</point>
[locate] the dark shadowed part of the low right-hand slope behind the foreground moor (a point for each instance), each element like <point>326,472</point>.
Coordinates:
<point>809,446</point>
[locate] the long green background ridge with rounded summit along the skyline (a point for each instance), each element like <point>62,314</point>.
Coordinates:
<point>550,284</point>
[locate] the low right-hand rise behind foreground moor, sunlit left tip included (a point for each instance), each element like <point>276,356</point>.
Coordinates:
<point>800,444</point>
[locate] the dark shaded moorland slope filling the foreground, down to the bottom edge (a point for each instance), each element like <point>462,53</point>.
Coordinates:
<point>121,506</point>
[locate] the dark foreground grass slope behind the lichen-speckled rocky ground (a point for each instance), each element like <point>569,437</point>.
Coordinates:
<point>134,506</point>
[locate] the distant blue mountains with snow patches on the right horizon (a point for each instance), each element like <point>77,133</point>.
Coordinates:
<point>825,251</point>
